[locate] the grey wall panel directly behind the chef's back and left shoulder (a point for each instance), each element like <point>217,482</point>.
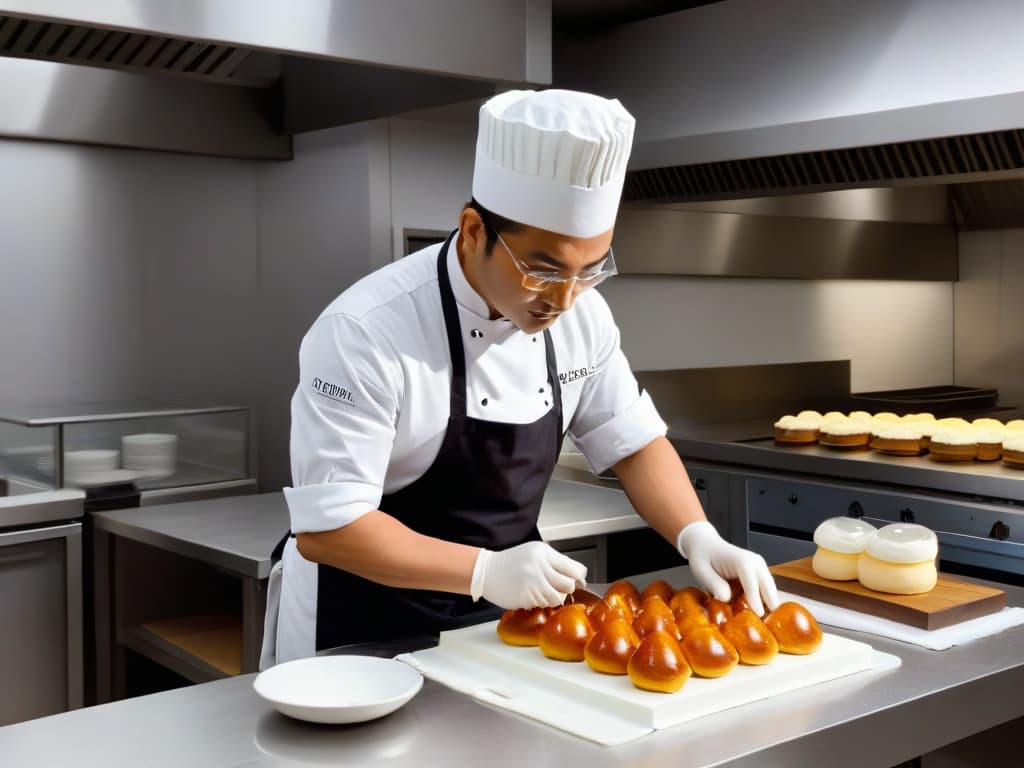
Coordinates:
<point>318,236</point>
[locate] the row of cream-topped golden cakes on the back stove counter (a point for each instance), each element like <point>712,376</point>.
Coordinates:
<point>946,440</point>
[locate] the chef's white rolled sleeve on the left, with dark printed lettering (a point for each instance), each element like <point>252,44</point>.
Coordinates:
<point>344,425</point>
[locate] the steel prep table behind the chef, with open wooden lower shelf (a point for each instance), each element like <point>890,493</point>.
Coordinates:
<point>236,536</point>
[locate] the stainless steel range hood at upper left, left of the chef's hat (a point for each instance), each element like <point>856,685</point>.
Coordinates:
<point>238,77</point>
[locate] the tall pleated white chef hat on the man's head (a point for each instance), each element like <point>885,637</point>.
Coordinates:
<point>554,160</point>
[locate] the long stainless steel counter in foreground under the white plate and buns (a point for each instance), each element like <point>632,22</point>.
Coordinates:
<point>878,719</point>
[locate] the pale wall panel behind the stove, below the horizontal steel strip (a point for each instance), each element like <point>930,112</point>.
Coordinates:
<point>897,334</point>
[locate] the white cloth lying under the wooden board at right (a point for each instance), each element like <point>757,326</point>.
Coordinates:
<point>942,639</point>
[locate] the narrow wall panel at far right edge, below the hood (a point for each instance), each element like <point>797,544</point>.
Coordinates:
<point>990,314</point>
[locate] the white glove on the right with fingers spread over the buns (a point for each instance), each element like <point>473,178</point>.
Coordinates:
<point>713,561</point>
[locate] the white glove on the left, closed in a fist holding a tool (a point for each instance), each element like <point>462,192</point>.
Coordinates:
<point>530,576</point>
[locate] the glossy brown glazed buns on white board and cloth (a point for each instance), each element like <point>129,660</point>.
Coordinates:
<point>651,659</point>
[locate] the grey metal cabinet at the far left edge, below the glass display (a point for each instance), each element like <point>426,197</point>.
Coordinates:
<point>41,606</point>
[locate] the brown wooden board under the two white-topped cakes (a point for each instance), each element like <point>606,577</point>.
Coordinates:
<point>952,602</point>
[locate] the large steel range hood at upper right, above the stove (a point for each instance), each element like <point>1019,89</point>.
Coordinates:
<point>742,100</point>
